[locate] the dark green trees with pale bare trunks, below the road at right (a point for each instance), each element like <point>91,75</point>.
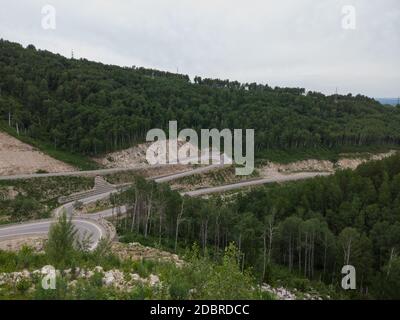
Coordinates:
<point>313,227</point>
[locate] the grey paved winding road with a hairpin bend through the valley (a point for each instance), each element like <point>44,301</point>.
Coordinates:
<point>95,224</point>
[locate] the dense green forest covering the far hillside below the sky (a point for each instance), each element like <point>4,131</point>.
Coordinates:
<point>92,108</point>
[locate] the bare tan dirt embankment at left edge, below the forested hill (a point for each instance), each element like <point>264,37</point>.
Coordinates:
<point>17,157</point>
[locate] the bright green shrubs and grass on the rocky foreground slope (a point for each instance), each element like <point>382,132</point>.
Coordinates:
<point>198,278</point>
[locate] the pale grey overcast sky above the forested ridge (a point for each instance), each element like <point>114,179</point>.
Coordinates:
<point>299,43</point>
